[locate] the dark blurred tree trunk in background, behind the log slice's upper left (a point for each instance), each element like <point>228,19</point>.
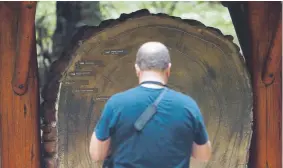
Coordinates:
<point>70,16</point>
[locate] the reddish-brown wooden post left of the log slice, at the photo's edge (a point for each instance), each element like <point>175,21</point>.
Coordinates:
<point>19,118</point>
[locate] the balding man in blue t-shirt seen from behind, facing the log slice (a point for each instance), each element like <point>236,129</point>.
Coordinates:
<point>172,135</point>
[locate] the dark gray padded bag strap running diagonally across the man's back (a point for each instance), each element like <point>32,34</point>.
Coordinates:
<point>149,112</point>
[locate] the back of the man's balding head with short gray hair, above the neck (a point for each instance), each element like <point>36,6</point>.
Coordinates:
<point>153,56</point>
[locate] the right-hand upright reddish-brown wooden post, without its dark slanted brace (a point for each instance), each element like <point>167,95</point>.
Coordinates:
<point>264,17</point>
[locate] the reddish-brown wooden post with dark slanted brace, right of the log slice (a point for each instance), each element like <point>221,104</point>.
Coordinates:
<point>258,26</point>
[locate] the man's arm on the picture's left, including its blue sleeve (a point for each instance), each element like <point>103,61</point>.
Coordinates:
<point>101,137</point>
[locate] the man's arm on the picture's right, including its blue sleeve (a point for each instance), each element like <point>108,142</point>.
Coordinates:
<point>201,149</point>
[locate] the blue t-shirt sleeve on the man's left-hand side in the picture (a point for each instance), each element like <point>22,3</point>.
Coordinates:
<point>106,124</point>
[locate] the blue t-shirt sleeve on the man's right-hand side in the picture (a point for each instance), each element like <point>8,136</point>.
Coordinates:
<point>201,135</point>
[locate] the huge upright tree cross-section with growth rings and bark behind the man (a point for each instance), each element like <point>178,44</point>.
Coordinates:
<point>100,62</point>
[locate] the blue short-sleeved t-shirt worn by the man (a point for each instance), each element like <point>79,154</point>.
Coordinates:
<point>165,142</point>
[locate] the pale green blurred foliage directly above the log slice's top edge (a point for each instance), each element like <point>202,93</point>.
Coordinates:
<point>211,14</point>
